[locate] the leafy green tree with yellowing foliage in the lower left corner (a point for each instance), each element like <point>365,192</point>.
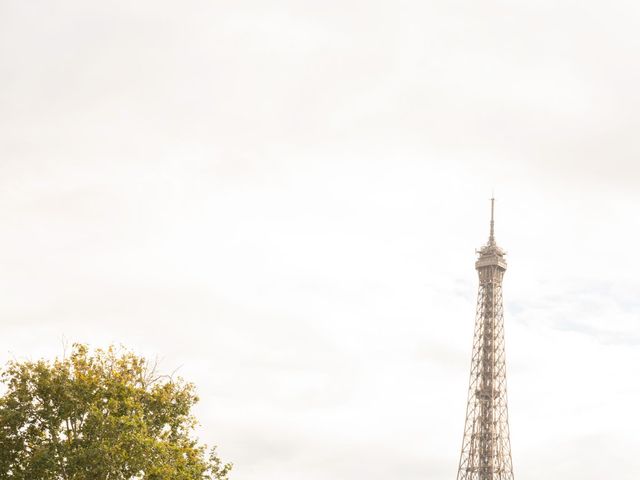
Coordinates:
<point>102,415</point>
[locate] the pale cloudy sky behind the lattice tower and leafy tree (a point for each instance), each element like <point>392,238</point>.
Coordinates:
<point>282,199</point>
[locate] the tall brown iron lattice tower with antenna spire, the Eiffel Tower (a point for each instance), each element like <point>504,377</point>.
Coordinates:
<point>486,449</point>
